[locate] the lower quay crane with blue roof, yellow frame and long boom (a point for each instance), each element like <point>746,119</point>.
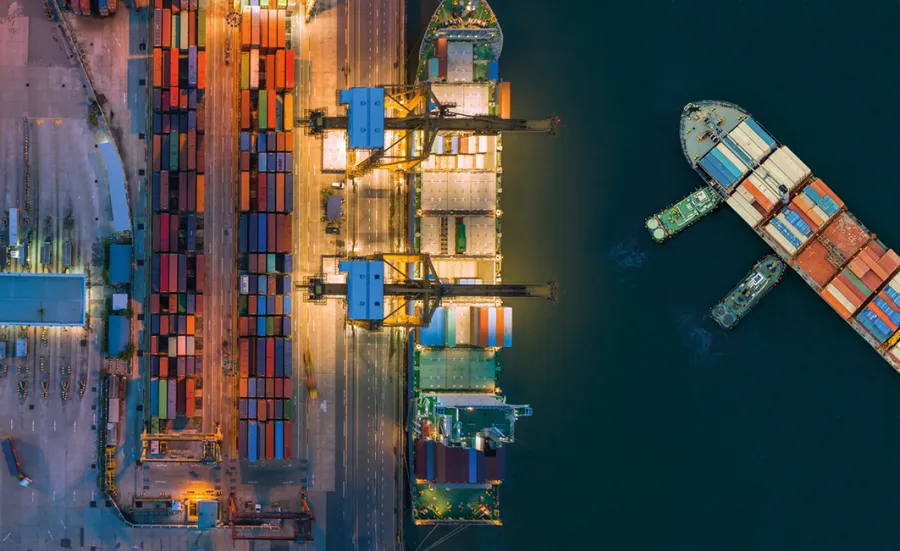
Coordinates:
<point>367,287</point>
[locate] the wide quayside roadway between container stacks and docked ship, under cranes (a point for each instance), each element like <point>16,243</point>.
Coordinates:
<point>352,440</point>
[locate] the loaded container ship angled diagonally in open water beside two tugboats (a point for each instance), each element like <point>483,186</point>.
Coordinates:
<point>800,217</point>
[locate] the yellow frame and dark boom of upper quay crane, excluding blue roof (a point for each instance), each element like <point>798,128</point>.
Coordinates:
<point>421,111</point>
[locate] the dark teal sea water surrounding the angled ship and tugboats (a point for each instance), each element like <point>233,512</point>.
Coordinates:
<point>654,429</point>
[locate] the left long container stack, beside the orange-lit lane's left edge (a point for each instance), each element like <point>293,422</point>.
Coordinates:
<point>176,302</point>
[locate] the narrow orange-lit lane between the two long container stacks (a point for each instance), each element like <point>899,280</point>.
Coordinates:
<point>221,277</point>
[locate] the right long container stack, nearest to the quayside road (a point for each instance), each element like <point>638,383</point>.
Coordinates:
<point>265,241</point>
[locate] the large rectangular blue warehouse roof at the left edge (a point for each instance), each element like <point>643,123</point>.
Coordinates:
<point>42,299</point>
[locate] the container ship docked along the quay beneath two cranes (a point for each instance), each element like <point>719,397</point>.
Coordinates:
<point>462,423</point>
